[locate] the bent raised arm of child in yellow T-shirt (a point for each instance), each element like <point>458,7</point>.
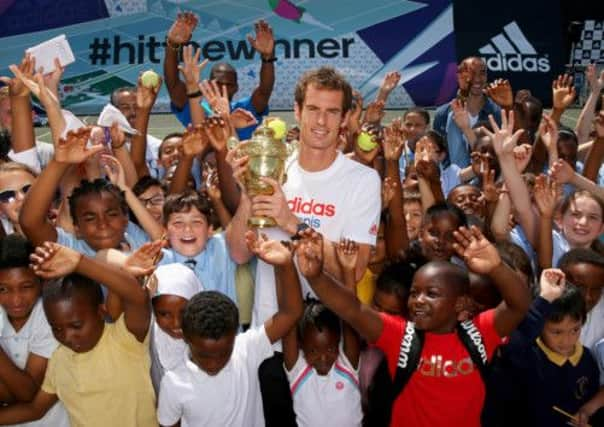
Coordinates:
<point>52,260</point>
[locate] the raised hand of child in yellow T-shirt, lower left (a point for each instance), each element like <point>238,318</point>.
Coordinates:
<point>51,260</point>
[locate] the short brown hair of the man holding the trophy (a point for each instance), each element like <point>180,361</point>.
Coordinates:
<point>324,78</point>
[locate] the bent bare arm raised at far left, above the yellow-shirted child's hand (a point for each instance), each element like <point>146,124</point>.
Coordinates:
<point>69,150</point>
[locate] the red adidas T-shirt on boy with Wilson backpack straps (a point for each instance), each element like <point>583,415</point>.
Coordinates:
<point>447,389</point>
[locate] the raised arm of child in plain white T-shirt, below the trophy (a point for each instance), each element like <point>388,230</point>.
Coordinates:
<point>289,295</point>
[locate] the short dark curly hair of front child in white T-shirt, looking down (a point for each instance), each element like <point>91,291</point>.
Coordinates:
<point>210,314</point>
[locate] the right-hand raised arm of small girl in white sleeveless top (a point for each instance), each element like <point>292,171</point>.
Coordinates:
<point>347,252</point>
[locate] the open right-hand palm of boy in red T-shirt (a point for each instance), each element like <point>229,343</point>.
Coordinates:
<point>478,253</point>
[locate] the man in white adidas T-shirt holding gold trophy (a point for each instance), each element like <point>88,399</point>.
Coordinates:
<point>324,190</point>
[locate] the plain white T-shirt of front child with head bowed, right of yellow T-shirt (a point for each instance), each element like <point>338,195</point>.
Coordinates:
<point>229,398</point>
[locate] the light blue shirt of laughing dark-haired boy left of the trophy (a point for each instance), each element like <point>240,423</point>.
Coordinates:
<point>213,266</point>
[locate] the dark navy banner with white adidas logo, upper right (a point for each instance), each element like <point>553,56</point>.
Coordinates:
<point>520,42</point>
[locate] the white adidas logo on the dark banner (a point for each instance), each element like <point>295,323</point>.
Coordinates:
<point>511,51</point>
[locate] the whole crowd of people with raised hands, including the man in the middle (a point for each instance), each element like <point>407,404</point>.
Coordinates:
<point>445,276</point>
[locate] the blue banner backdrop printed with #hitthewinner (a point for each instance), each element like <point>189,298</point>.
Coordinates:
<point>114,40</point>
